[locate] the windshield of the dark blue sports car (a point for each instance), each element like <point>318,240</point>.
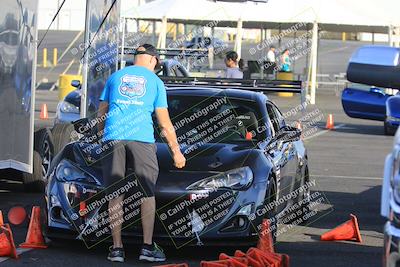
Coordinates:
<point>215,119</point>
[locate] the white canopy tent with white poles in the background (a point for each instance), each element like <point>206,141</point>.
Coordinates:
<point>333,15</point>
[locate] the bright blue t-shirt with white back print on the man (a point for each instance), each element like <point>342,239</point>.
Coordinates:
<point>133,93</point>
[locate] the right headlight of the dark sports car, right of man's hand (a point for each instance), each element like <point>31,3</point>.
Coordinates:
<point>236,179</point>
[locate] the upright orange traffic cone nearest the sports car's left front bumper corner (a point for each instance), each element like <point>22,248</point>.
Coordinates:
<point>34,238</point>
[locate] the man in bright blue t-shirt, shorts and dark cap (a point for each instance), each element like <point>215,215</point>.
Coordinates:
<point>130,97</point>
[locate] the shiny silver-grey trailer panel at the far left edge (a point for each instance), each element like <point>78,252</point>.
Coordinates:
<point>18,35</point>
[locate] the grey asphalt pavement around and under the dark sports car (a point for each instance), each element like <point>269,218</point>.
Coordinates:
<point>346,164</point>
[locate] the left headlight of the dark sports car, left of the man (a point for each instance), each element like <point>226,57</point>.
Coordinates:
<point>66,172</point>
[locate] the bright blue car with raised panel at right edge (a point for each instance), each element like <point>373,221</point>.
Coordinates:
<point>377,66</point>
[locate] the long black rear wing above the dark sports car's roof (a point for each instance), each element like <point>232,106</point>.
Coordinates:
<point>257,85</point>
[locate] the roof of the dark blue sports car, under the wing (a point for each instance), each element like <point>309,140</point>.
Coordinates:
<point>207,91</point>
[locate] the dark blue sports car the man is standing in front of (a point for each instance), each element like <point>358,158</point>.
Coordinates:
<point>244,164</point>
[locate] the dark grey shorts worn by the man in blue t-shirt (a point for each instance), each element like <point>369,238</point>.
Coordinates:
<point>122,156</point>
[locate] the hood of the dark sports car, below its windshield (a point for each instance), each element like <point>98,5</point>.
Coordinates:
<point>205,161</point>
